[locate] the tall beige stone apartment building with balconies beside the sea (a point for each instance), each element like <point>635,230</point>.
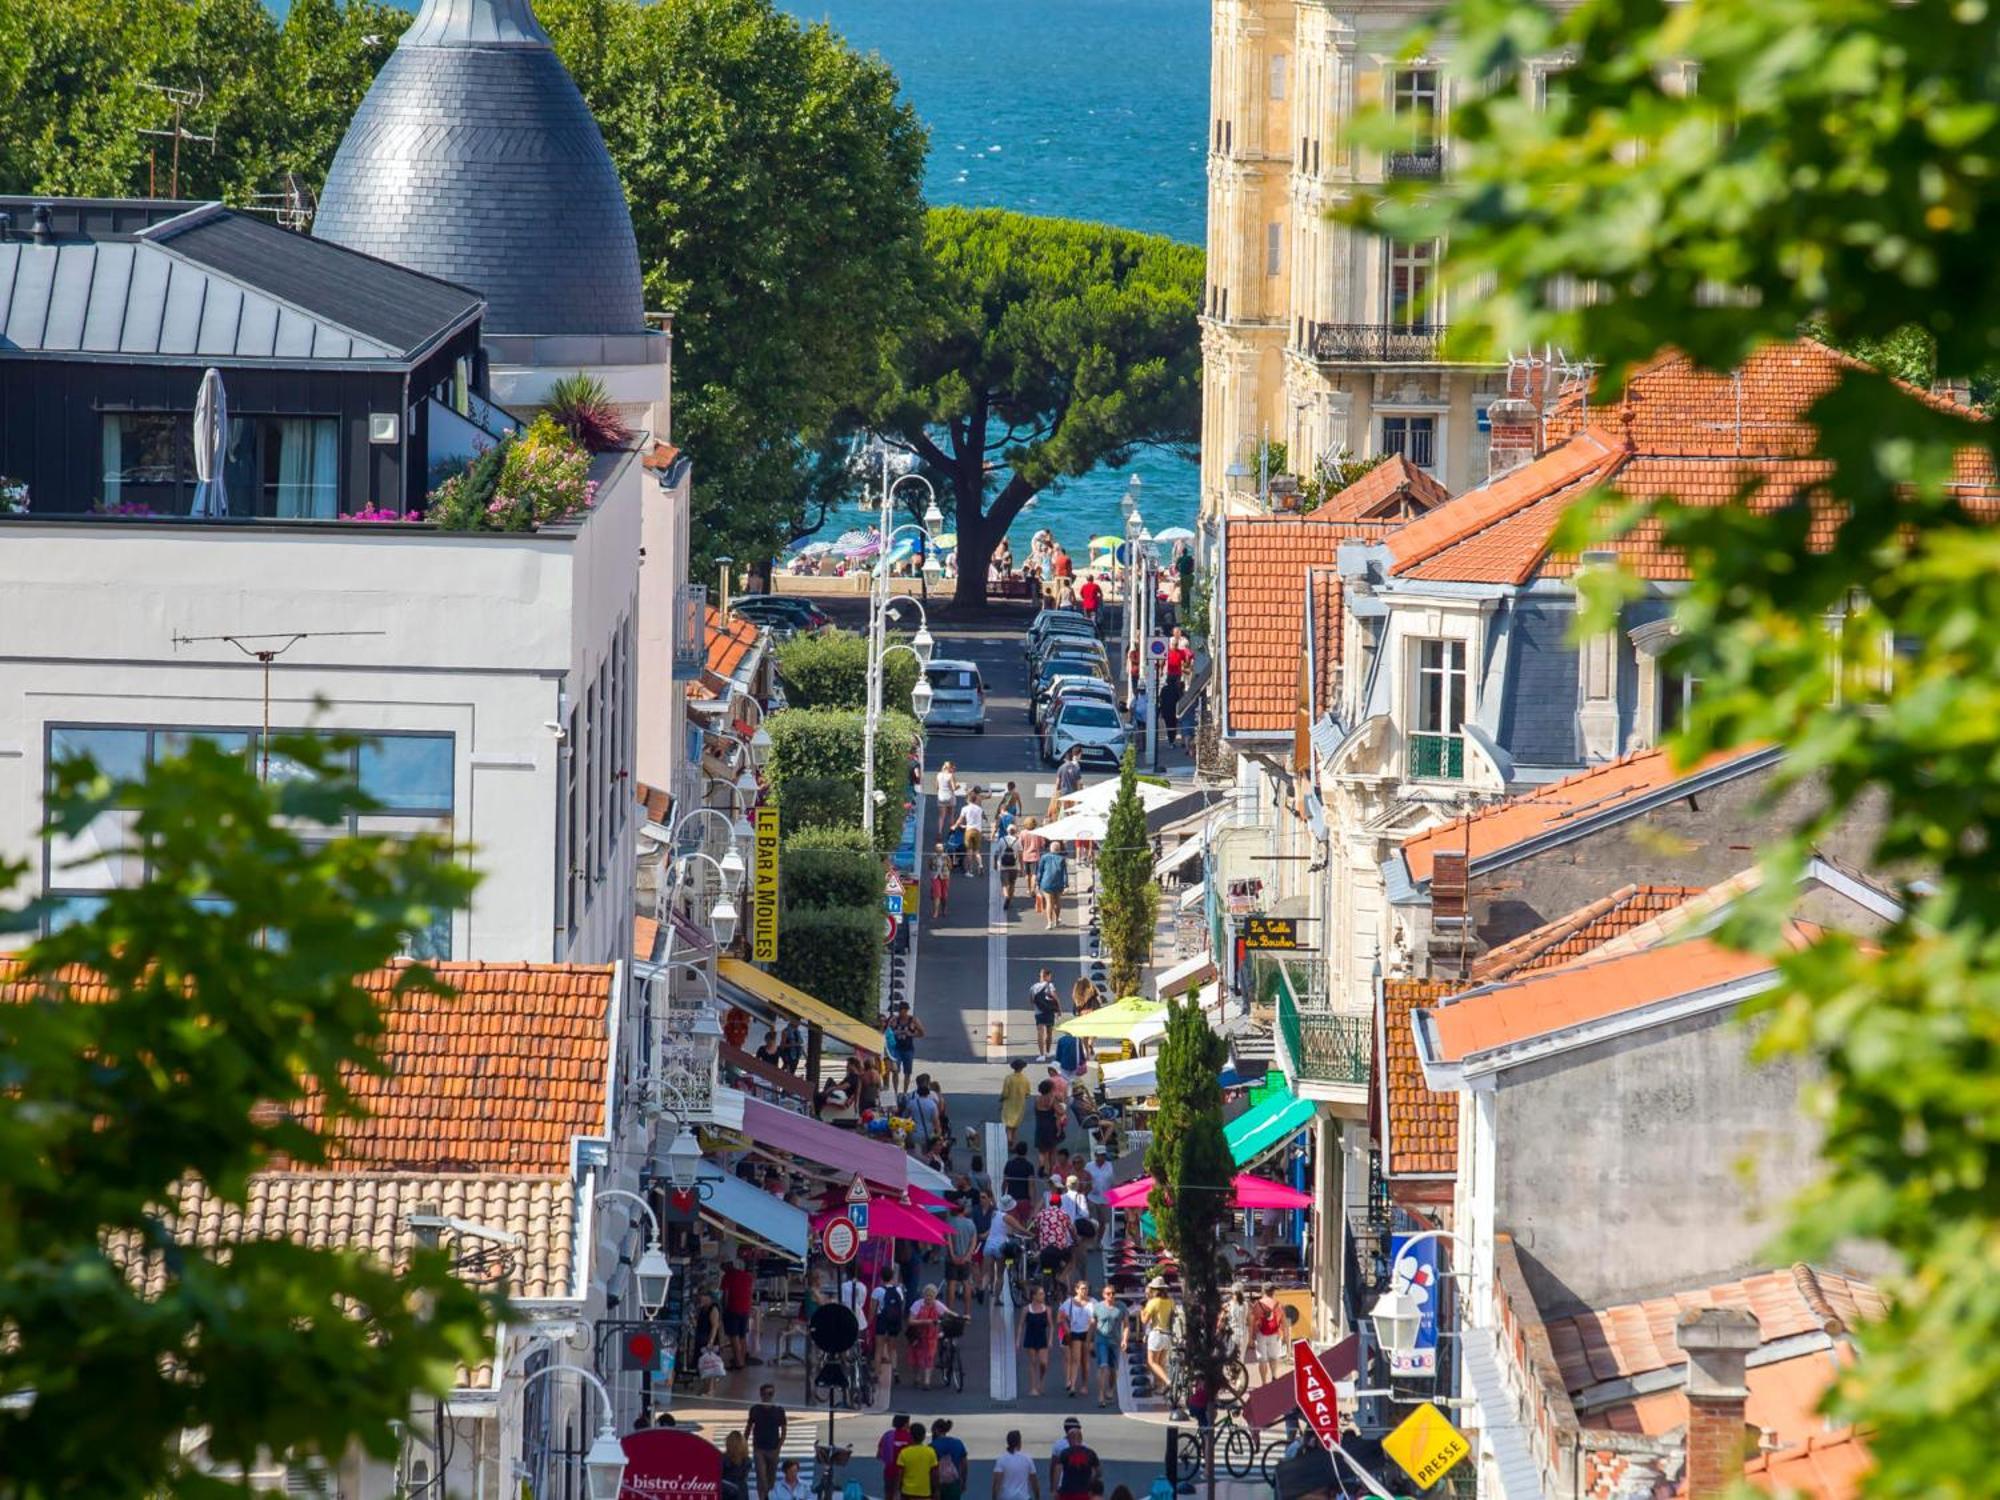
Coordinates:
<point>1317,335</point>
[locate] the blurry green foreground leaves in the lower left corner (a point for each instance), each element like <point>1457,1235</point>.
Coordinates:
<point>229,997</point>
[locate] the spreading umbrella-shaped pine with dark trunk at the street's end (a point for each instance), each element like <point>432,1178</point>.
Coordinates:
<point>1045,347</point>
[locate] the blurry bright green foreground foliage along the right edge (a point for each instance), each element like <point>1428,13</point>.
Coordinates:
<point>1835,165</point>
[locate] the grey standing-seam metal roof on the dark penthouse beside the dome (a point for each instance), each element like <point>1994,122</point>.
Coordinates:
<point>215,285</point>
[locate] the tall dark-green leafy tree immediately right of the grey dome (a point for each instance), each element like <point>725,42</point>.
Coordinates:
<point>777,193</point>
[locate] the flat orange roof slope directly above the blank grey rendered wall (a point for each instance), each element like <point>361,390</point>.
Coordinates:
<point>1519,1011</point>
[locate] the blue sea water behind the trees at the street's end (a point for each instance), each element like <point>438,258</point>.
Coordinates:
<point>1085,109</point>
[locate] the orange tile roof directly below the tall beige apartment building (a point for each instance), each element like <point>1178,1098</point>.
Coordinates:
<point>1263,581</point>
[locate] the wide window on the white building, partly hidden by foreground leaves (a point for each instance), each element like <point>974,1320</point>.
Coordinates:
<point>407,775</point>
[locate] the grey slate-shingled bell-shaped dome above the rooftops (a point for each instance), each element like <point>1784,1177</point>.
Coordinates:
<point>477,161</point>
